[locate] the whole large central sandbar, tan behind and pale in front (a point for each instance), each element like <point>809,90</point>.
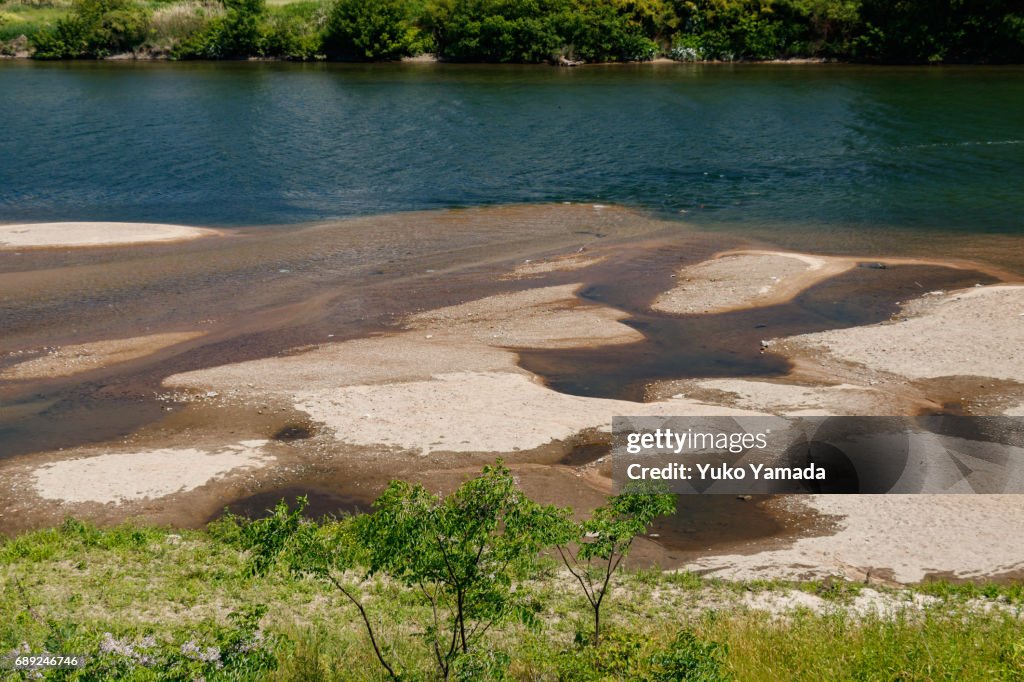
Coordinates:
<point>451,385</point>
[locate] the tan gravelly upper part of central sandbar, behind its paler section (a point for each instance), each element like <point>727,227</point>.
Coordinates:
<point>470,337</point>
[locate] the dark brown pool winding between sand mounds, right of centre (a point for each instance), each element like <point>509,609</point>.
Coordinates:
<point>728,345</point>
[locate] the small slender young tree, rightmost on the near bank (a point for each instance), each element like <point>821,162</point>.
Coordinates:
<point>604,541</point>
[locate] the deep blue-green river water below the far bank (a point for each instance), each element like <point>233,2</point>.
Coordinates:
<point>262,144</point>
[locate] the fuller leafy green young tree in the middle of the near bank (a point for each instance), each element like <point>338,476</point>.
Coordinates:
<point>461,553</point>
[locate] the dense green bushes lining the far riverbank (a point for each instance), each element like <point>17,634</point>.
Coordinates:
<point>533,31</point>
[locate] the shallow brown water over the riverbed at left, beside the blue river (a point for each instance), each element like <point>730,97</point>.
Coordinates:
<point>258,294</point>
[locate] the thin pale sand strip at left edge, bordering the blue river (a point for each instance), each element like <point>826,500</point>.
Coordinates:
<point>94,234</point>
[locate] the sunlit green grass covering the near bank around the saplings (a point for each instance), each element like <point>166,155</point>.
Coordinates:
<point>134,581</point>
